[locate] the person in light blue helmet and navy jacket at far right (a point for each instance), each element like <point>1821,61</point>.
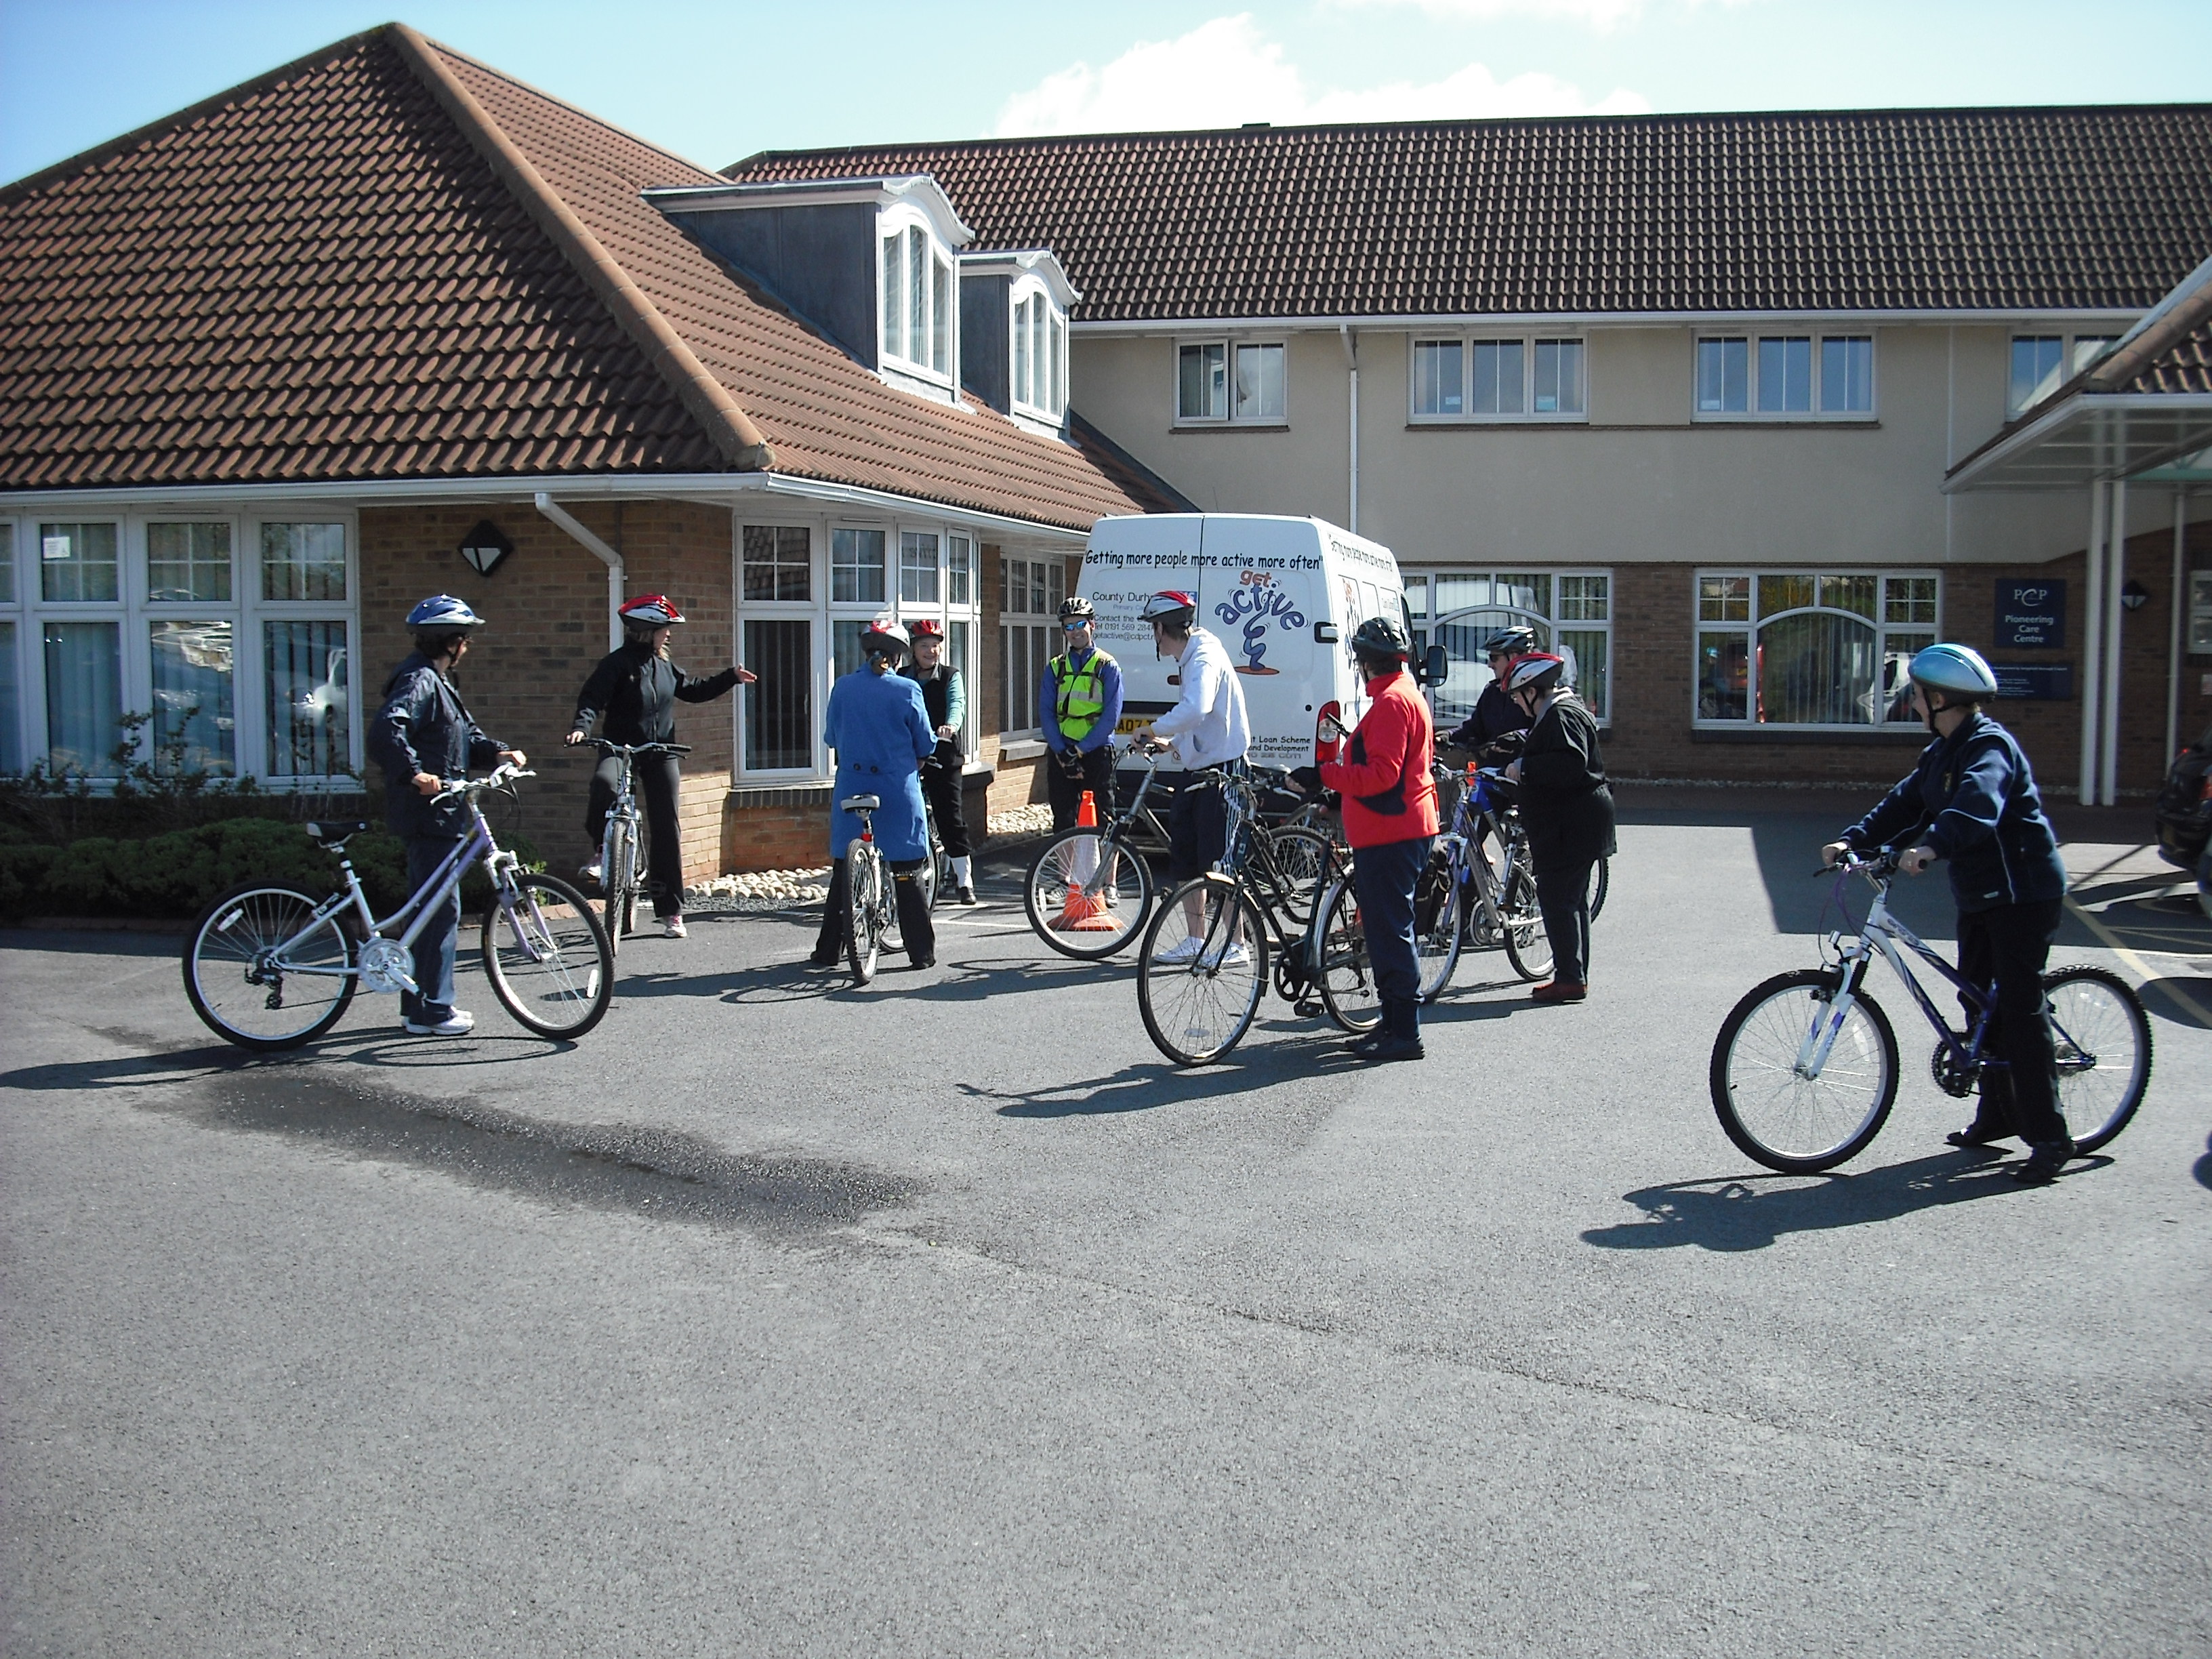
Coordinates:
<point>1974,802</point>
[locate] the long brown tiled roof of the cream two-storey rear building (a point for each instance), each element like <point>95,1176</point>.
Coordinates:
<point>1999,209</point>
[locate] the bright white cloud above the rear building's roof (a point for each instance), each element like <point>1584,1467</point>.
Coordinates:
<point>1224,74</point>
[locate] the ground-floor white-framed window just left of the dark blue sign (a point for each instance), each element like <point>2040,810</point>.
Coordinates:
<point>1811,647</point>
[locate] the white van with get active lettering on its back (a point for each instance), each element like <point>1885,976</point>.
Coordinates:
<point>1282,594</point>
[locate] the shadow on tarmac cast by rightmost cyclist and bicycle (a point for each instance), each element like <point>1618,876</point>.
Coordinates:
<point>1751,1213</point>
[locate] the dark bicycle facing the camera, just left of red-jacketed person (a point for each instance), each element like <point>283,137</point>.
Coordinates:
<point>1275,888</point>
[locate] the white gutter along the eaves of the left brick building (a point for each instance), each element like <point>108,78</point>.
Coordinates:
<point>401,492</point>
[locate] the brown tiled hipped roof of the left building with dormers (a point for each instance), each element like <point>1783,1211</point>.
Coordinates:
<point>395,262</point>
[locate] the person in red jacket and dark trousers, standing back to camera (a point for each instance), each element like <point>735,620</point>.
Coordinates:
<point>1390,822</point>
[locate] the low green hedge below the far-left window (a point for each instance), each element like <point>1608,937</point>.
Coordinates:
<point>178,873</point>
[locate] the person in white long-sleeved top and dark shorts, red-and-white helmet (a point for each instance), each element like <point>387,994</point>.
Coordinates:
<point>1207,727</point>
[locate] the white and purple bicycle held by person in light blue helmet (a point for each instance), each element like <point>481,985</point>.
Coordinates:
<point>1806,1065</point>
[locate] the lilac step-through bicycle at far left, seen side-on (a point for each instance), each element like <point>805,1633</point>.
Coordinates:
<point>269,968</point>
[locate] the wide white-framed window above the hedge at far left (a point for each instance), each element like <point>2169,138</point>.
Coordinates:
<point>134,618</point>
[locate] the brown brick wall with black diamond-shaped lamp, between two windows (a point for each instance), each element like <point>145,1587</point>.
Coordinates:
<point>547,609</point>
